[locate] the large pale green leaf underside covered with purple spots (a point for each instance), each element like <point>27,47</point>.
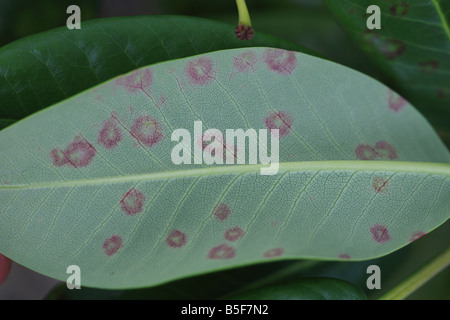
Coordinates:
<point>90,181</point>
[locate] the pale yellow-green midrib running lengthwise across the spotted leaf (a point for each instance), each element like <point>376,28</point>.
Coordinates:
<point>397,166</point>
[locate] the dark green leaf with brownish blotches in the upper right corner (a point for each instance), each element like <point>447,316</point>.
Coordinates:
<point>413,47</point>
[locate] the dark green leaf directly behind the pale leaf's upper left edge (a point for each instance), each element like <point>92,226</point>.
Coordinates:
<point>43,69</point>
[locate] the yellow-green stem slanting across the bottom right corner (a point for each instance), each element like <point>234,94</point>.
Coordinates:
<point>419,278</point>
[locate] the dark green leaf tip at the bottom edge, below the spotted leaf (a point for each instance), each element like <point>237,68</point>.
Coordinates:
<point>305,289</point>
